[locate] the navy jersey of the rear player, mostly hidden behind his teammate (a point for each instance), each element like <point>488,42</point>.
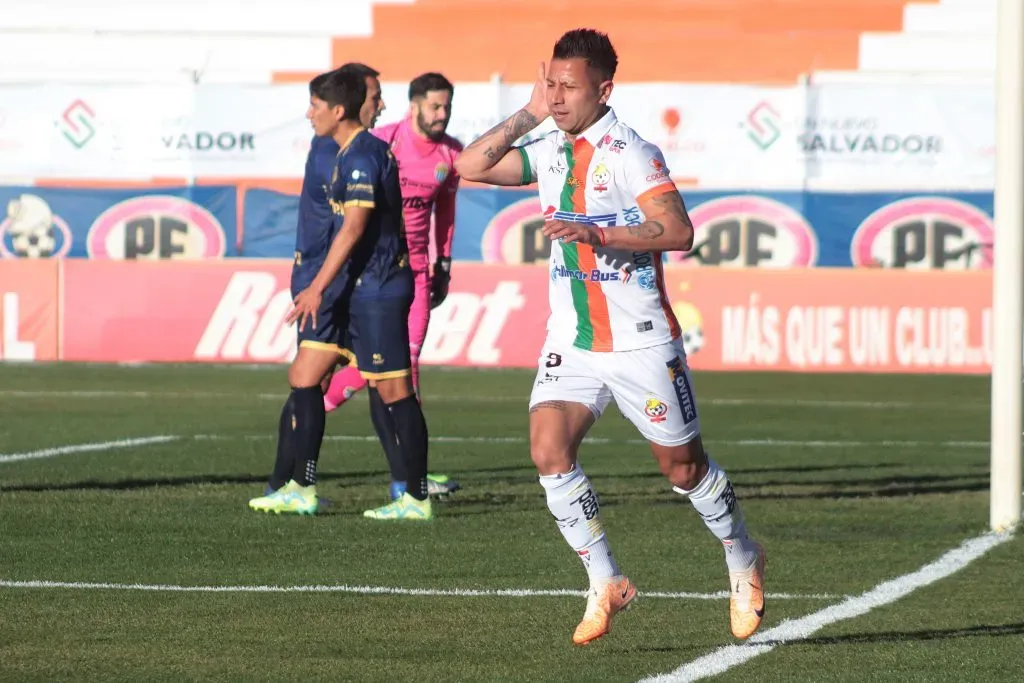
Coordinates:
<point>318,224</point>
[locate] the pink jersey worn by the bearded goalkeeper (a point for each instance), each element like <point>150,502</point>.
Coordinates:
<point>429,180</point>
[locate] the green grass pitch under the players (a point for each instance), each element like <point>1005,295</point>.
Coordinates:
<point>849,482</point>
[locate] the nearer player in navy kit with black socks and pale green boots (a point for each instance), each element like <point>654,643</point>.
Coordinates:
<point>353,289</point>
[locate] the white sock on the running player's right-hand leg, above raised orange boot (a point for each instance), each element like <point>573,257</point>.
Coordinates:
<point>716,503</point>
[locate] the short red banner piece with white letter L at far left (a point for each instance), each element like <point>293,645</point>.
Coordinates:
<point>29,311</point>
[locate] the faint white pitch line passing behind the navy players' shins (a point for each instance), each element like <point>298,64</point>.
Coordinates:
<point>755,443</point>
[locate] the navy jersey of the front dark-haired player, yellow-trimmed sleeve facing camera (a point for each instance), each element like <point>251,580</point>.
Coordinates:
<point>367,176</point>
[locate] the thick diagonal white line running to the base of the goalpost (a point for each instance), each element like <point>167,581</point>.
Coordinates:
<point>796,630</point>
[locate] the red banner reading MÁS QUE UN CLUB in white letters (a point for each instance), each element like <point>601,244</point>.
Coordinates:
<point>843,320</point>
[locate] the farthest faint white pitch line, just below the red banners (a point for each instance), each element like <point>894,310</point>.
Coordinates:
<point>783,403</point>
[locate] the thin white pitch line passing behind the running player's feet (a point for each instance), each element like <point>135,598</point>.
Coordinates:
<point>380,590</point>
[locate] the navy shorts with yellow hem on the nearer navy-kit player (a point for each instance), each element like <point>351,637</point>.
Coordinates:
<point>378,336</point>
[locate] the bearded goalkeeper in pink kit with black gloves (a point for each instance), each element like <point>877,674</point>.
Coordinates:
<point>426,166</point>
